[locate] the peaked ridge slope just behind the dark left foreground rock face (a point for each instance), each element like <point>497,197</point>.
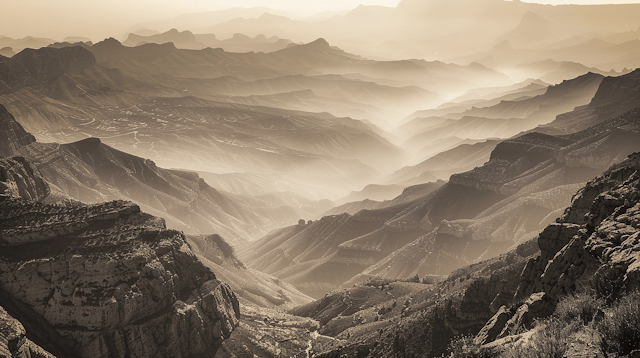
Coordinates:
<point>91,172</point>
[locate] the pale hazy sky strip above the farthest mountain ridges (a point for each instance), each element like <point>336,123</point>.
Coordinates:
<point>102,18</point>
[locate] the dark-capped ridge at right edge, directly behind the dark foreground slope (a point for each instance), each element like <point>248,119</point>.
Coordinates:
<point>537,174</point>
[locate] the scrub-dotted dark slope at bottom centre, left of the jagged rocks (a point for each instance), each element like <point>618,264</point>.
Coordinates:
<point>387,318</point>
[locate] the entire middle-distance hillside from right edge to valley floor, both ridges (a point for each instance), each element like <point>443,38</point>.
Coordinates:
<point>478,214</point>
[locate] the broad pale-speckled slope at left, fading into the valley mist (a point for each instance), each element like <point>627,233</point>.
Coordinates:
<point>150,116</point>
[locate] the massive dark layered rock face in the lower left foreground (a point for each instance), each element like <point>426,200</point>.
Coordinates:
<point>107,280</point>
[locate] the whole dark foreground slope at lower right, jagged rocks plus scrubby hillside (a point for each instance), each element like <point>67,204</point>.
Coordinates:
<point>593,242</point>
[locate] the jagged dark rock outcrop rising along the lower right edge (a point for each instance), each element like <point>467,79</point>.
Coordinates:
<point>597,236</point>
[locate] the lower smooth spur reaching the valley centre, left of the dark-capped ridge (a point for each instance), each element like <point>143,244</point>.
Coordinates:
<point>320,256</point>
